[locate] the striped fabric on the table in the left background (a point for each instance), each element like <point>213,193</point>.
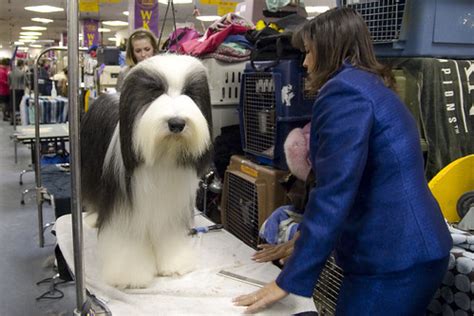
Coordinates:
<point>53,110</point>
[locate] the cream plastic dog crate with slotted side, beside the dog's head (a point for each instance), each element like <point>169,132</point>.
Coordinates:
<point>224,81</point>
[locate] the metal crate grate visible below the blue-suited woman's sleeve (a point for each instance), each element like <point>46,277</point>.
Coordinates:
<point>327,288</point>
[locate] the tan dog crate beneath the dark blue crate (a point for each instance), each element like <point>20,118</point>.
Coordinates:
<point>250,194</point>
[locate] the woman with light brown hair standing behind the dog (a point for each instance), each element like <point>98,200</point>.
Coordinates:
<point>141,45</point>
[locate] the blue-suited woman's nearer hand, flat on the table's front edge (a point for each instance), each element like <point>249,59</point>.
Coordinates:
<point>261,299</point>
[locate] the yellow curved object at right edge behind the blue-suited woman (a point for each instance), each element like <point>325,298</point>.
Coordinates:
<point>450,183</point>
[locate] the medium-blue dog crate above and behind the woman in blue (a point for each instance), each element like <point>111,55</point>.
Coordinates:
<point>441,28</point>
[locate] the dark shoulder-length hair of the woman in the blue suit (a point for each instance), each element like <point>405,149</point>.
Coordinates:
<point>335,36</point>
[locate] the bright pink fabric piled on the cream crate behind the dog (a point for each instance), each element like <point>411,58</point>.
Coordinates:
<point>210,41</point>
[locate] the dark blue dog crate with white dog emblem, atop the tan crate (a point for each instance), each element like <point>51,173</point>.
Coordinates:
<point>273,102</point>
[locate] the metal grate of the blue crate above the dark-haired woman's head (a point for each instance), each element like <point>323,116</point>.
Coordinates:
<point>383,17</point>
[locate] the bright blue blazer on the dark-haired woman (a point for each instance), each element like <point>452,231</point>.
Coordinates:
<point>371,203</point>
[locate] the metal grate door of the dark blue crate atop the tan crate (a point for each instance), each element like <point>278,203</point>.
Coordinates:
<point>259,114</point>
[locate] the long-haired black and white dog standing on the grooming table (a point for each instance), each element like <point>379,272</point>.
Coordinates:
<point>142,155</point>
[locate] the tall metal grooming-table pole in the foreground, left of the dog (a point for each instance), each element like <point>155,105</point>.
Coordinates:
<point>74,138</point>
